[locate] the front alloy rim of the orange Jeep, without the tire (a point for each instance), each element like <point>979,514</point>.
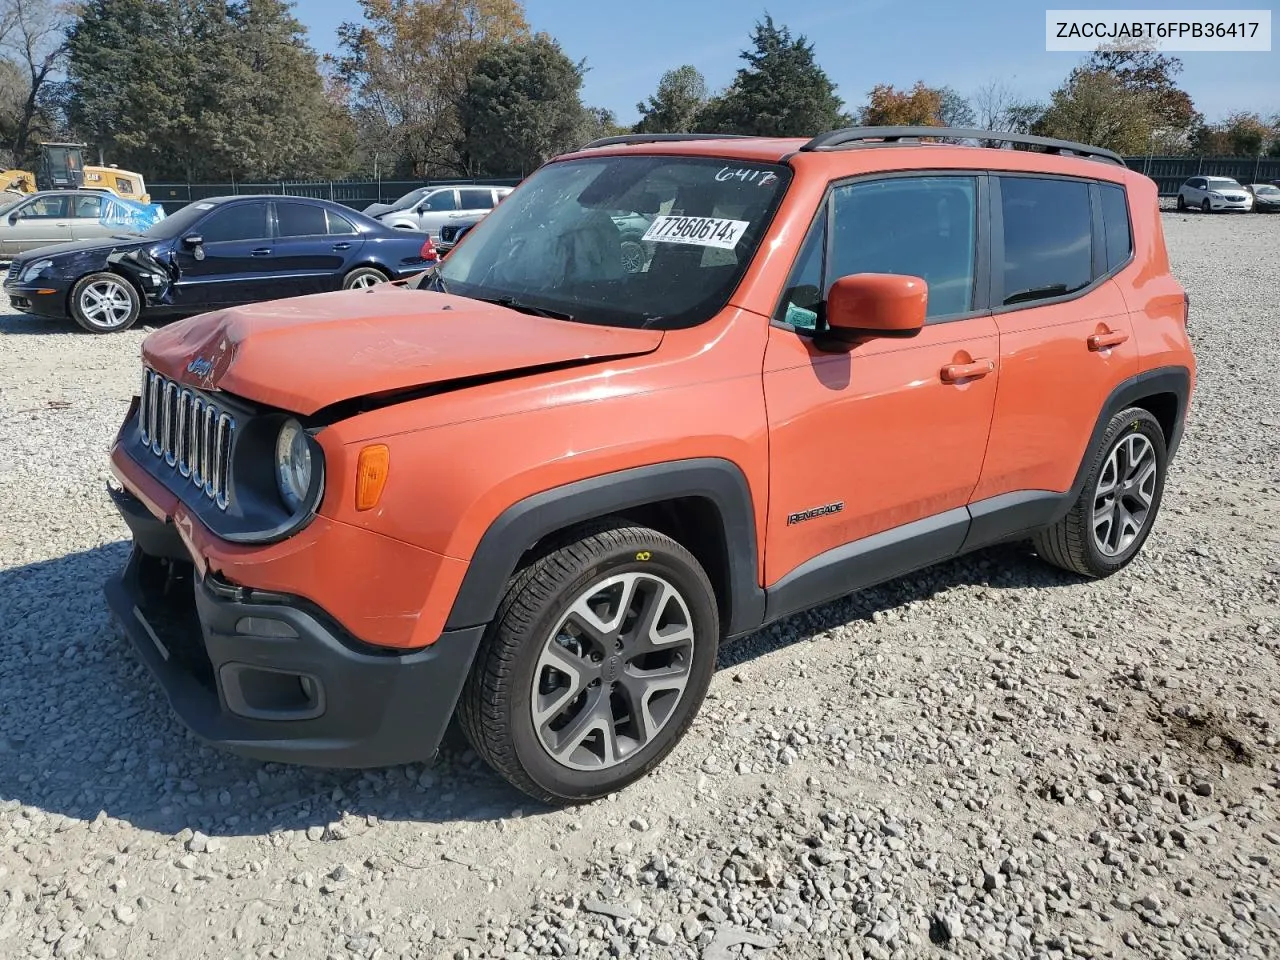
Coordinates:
<point>614,671</point>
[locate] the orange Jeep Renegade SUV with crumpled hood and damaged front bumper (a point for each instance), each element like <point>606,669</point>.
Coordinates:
<point>673,390</point>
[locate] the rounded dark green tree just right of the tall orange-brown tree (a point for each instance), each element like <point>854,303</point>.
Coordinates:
<point>520,108</point>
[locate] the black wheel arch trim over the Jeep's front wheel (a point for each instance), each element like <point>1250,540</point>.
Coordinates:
<point>519,528</point>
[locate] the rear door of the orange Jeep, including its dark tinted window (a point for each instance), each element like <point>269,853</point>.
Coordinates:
<point>1066,336</point>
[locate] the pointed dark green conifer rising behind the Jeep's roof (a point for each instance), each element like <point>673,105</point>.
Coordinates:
<point>781,93</point>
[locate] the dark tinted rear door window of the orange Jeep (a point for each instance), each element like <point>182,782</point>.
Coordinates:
<point>1048,239</point>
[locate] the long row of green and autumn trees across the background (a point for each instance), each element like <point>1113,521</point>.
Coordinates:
<point>214,90</point>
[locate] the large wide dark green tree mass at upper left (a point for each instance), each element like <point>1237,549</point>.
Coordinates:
<point>202,90</point>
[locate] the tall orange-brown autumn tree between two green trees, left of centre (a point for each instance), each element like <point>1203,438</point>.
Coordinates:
<point>409,63</point>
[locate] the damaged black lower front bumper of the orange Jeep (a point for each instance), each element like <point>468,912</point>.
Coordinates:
<point>273,678</point>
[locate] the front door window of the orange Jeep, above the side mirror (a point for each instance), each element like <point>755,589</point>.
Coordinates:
<point>915,226</point>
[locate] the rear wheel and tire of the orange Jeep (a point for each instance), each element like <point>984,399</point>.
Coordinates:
<point>1084,542</point>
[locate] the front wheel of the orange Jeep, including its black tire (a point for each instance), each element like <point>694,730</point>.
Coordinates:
<point>538,625</point>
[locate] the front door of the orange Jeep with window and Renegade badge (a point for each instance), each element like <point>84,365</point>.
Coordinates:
<point>880,440</point>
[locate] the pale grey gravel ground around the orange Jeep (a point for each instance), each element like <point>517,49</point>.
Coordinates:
<point>986,760</point>
